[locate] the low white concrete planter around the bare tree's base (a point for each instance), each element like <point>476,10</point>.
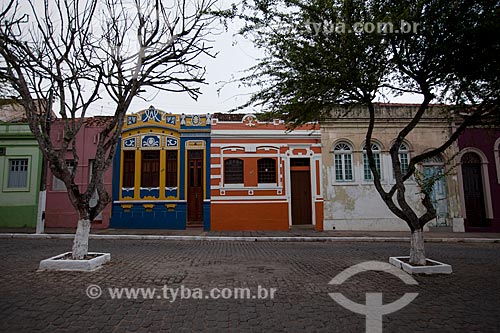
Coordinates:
<point>85,265</point>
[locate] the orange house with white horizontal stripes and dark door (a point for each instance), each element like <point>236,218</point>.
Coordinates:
<point>264,177</point>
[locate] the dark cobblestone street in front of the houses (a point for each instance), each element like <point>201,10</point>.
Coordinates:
<point>466,301</point>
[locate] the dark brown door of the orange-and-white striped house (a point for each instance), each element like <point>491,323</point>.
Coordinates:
<point>301,197</point>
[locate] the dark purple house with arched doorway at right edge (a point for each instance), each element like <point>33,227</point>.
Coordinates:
<point>479,179</point>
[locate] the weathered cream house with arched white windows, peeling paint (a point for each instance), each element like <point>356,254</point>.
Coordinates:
<point>351,200</point>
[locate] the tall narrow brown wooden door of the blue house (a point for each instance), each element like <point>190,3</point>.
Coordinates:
<point>195,187</point>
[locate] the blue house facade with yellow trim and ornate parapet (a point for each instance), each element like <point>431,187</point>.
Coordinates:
<point>161,173</point>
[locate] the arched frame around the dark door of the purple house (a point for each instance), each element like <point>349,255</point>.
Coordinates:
<point>485,178</point>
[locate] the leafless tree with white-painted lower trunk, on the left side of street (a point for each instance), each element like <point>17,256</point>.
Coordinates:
<point>64,55</point>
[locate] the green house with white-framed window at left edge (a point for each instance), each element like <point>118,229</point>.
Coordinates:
<point>20,169</point>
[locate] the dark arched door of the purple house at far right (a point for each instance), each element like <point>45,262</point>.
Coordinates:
<point>473,190</point>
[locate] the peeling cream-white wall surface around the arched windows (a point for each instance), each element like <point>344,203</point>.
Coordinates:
<point>356,204</point>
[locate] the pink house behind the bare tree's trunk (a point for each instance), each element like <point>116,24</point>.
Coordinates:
<point>59,212</point>
